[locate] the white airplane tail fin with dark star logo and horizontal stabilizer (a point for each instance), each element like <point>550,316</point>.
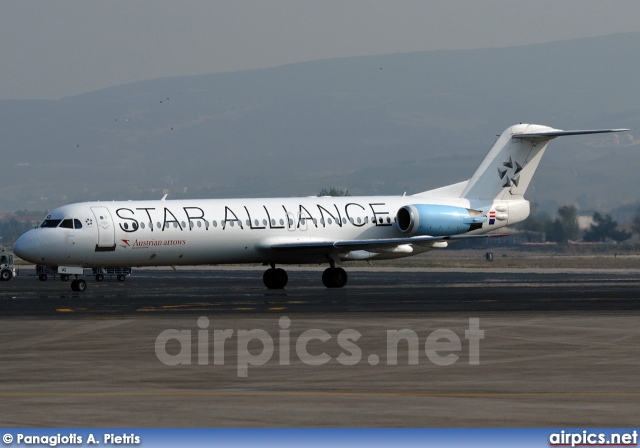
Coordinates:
<point>507,170</point>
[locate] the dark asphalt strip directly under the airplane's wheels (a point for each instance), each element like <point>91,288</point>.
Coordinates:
<point>152,292</point>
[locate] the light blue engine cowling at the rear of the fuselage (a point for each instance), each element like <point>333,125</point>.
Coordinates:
<point>438,220</point>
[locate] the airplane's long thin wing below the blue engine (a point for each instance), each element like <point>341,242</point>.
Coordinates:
<point>370,244</point>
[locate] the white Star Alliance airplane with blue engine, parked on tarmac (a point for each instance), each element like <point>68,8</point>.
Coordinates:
<point>293,230</point>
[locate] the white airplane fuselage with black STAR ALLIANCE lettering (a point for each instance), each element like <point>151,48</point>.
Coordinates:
<point>193,232</point>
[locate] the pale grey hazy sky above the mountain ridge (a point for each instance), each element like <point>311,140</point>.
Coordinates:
<point>51,49</point>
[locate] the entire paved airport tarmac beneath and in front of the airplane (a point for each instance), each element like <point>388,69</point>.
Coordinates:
<point>480,348</point>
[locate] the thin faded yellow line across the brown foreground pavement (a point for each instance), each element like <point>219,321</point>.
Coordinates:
<point>326,393</point>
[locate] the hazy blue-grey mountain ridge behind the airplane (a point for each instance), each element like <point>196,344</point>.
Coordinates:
<point>376,124</point>
